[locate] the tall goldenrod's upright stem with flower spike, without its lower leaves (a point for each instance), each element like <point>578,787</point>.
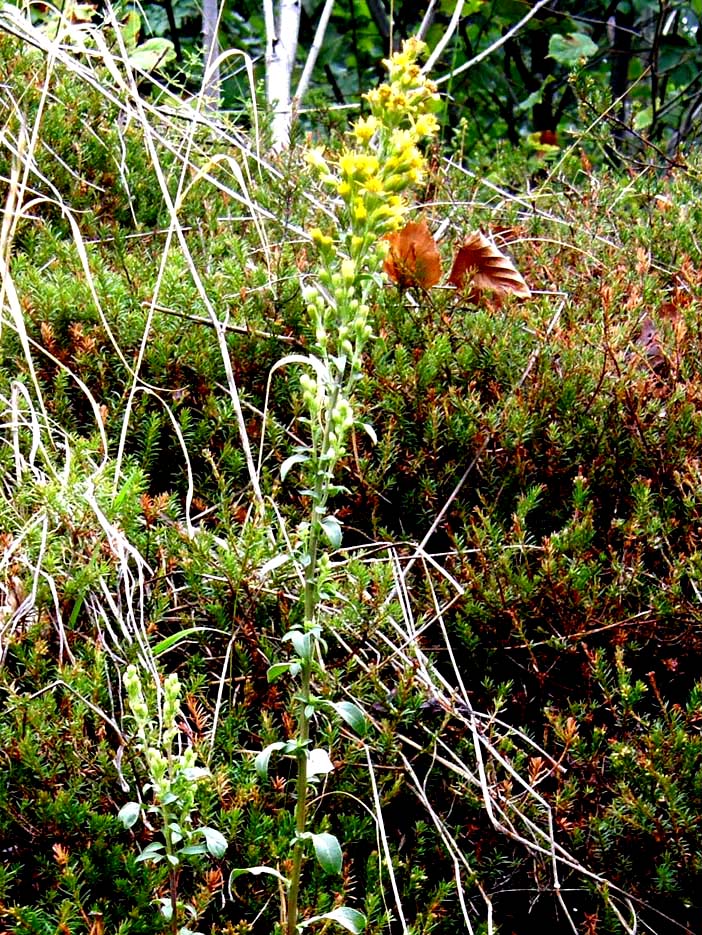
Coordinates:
<point>381,161</point>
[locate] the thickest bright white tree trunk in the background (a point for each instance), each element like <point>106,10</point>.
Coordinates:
<point>281,48</point>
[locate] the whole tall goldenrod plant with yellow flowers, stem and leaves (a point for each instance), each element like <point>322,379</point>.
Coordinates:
<point>371,181</point>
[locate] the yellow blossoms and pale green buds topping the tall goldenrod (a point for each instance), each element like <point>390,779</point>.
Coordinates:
<point>368,178</point>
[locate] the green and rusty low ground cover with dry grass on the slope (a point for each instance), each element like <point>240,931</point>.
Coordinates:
<point>529,674</point>
